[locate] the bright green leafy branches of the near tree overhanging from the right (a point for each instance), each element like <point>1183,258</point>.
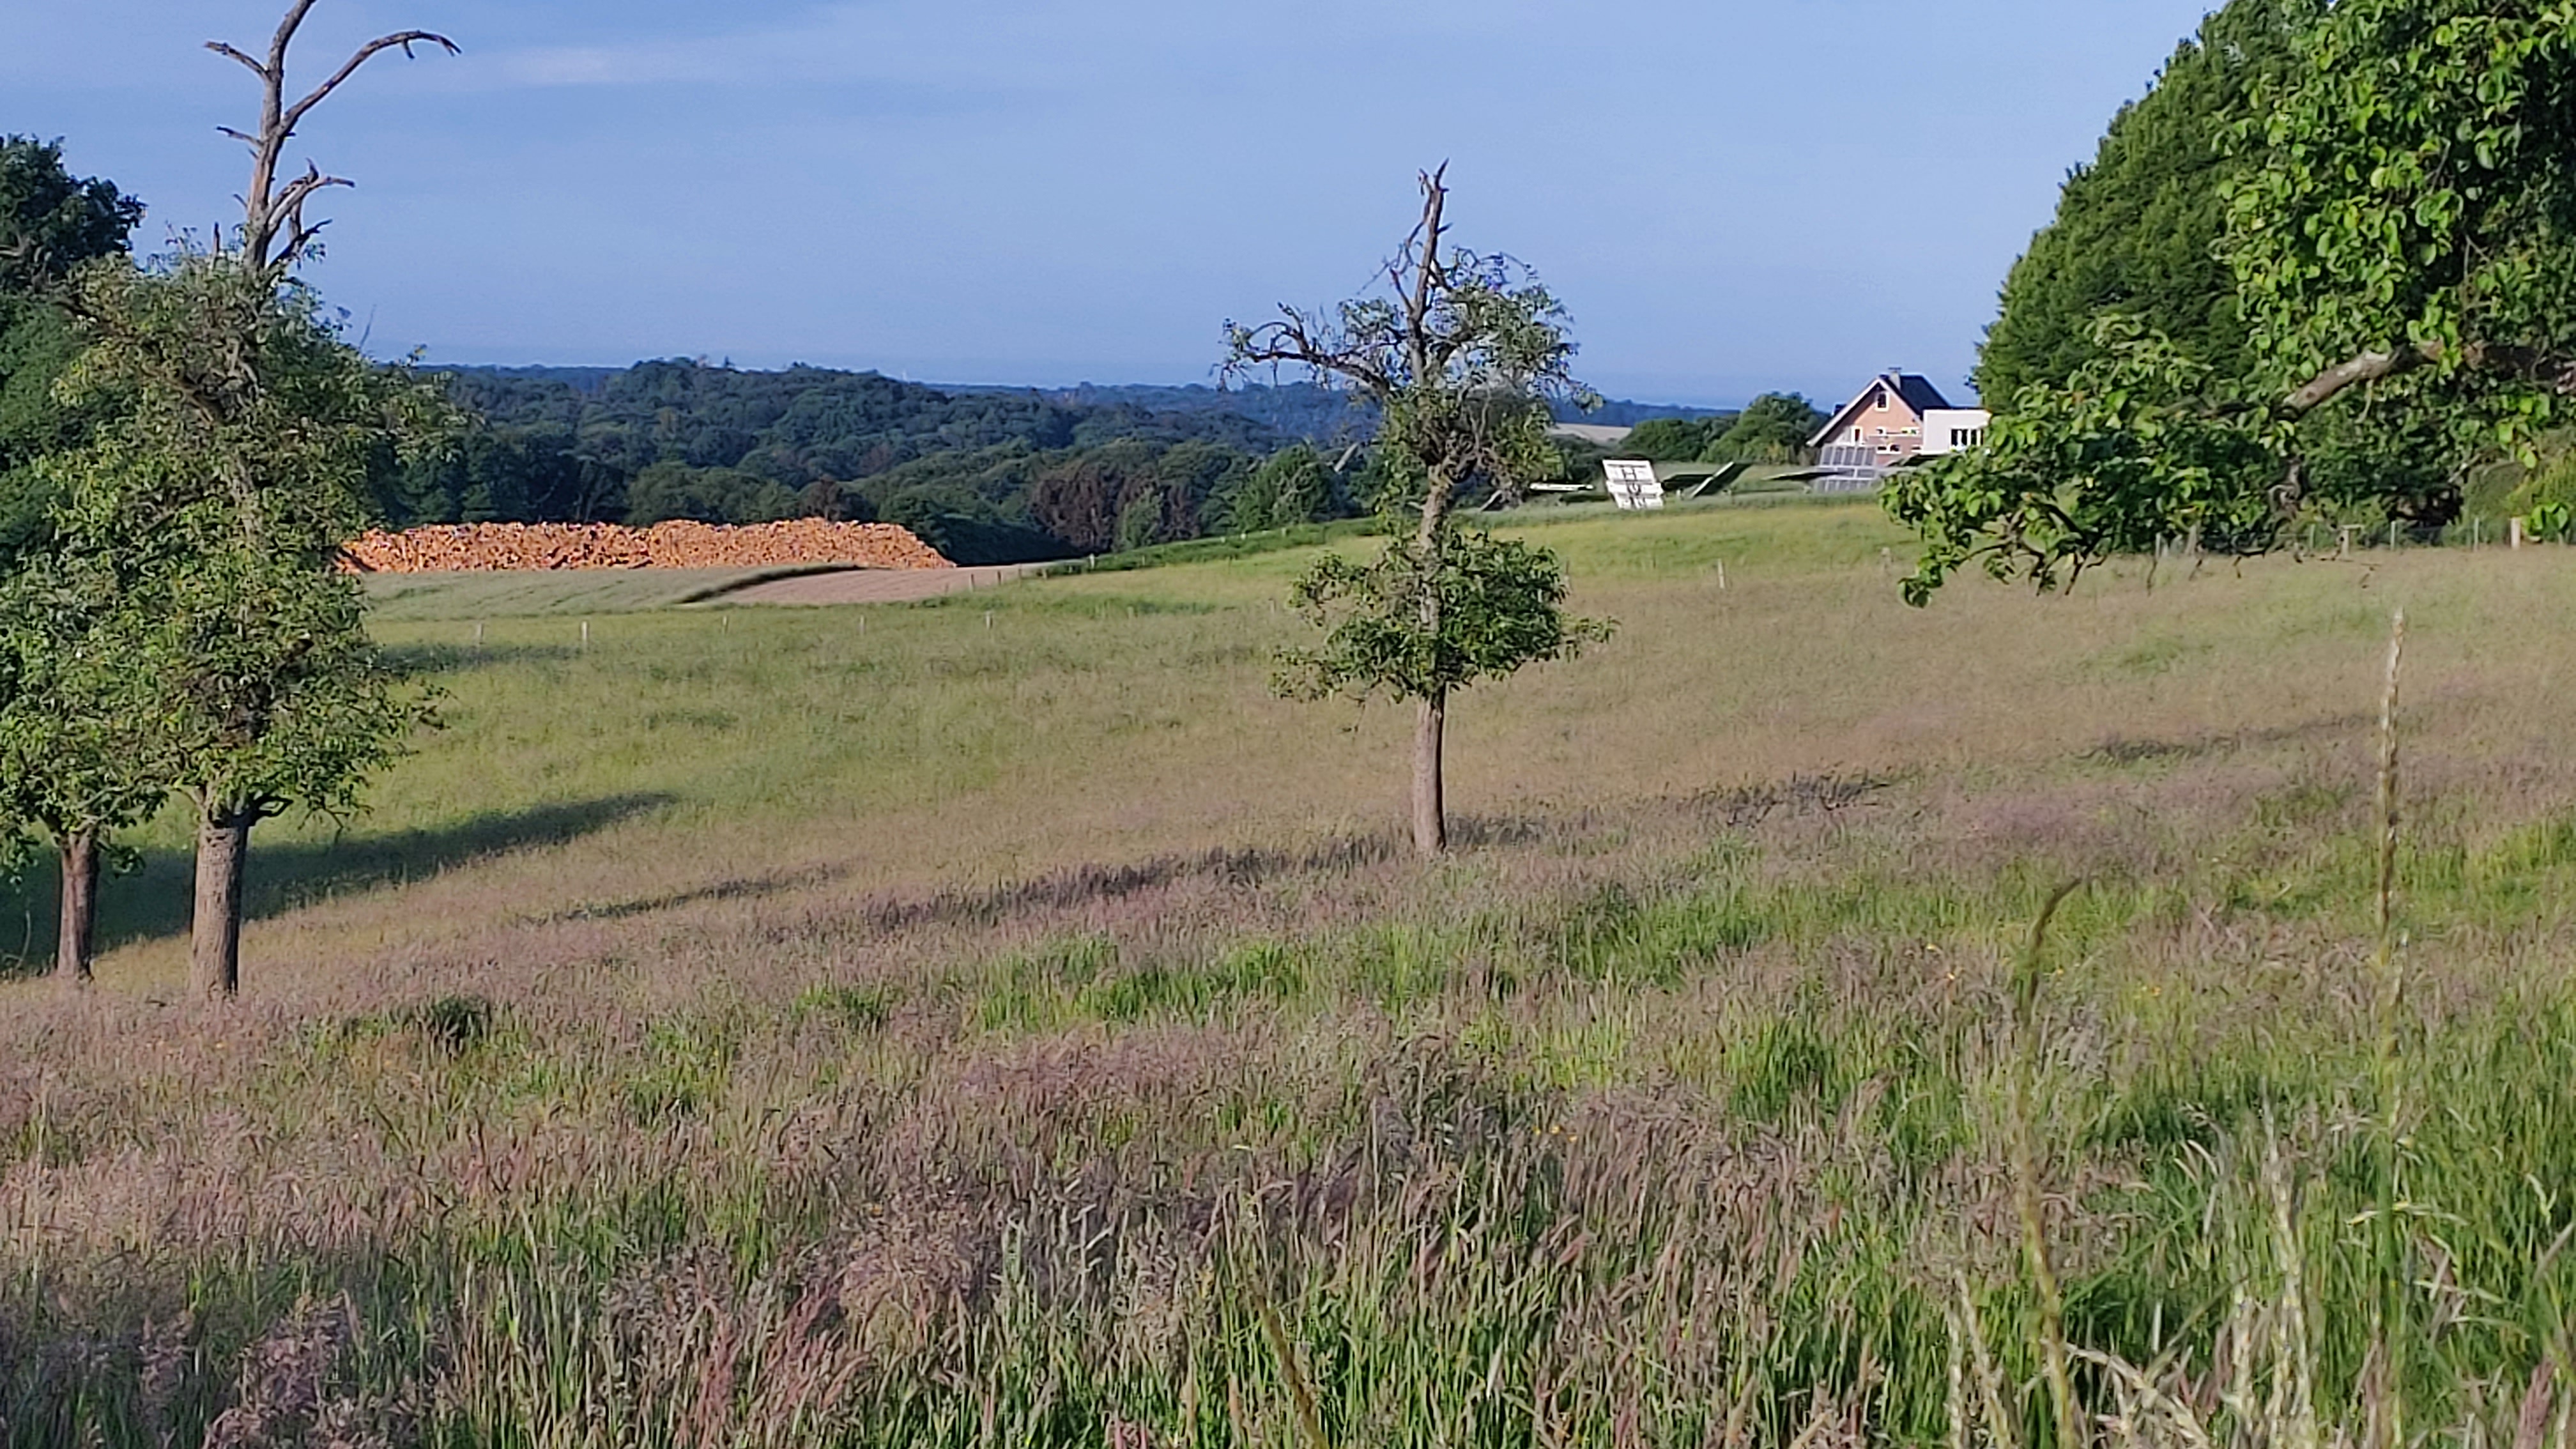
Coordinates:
<point>2400,226</point>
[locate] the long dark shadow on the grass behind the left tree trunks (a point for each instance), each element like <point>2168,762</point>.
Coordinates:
<point>292,875</point>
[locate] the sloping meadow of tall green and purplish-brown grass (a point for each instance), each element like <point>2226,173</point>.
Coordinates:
<point>1003,1022</point>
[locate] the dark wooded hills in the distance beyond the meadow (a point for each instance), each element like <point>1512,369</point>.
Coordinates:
<point>983,473</point>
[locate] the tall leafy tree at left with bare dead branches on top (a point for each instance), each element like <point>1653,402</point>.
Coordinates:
<point>220,496</point>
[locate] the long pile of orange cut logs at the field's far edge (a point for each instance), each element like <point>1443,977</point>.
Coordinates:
<point>511,548</point>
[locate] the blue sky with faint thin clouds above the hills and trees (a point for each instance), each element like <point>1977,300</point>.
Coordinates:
<point>1730,195</point>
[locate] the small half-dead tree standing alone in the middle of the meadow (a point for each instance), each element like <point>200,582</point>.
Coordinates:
<point>1462,357</point>
